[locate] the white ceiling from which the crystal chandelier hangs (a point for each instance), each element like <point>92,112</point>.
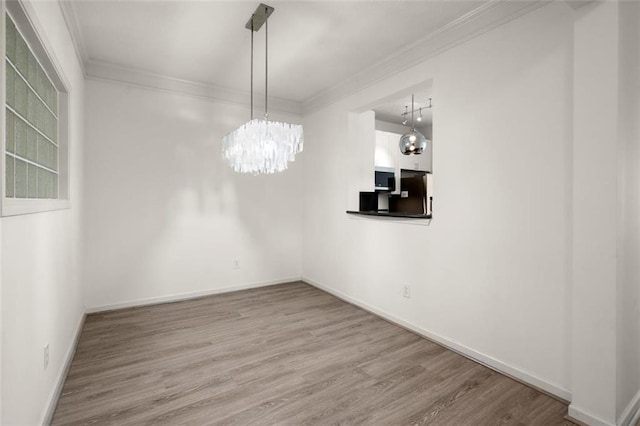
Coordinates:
<point>313,45</point>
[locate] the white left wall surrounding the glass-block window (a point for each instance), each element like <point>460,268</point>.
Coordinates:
<point>41,293</point>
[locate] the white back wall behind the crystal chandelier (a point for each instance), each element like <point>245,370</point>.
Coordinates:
<point>164,215</point>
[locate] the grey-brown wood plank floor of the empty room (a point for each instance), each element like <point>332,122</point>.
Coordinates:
<point>287,354</point>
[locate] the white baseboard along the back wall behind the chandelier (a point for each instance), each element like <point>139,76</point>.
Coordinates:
<point>190,295</point>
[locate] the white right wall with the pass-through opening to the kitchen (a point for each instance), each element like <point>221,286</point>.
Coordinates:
<point>491,273</point>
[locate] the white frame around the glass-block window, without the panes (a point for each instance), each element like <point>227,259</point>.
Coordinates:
<point>32,32</point>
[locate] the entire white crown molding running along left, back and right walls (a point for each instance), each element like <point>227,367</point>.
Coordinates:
<point>485,17</point>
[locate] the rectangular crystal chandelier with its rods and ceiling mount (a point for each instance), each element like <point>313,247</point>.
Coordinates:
<point>262,145</point>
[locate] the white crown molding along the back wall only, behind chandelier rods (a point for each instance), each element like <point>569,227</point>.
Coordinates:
<point>97,70</point>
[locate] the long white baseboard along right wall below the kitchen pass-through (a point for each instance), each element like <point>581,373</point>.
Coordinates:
<point>486,360</point>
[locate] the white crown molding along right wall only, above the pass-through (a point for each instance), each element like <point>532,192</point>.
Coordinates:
<point>480,20</point>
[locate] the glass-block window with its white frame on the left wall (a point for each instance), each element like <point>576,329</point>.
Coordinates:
<point>36,113</point>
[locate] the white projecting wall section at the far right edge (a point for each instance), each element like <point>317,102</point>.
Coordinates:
<point>606,285</point>
